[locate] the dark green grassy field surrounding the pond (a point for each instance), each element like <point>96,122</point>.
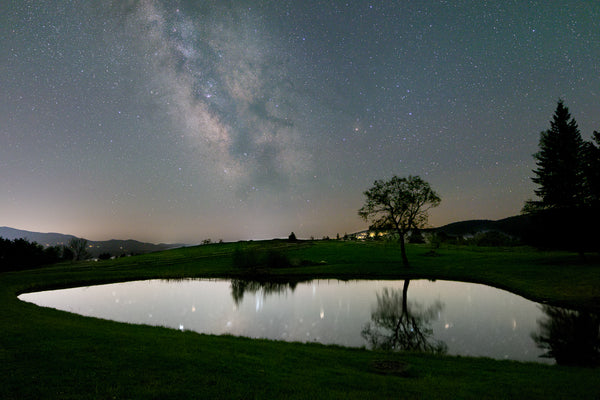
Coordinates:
<point>53,354</point>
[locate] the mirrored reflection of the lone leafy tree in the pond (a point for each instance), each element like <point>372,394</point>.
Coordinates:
<point>397,325</point>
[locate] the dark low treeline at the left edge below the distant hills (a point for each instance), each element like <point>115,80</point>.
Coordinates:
<point>22,254</point>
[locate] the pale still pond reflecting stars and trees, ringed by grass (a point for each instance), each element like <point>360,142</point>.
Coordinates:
<point>437,316</point>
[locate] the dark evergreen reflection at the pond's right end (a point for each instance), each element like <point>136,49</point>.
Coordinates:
<point>570,337</point>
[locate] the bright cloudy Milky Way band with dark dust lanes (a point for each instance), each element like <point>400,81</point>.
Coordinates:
<point>225,87</point>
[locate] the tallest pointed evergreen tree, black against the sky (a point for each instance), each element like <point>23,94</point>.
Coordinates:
<point>559,172</point>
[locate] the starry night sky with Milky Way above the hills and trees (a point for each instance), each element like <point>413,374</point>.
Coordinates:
<point>178,121</point>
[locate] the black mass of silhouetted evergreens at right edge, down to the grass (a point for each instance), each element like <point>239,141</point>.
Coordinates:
<point>567,211</point>
